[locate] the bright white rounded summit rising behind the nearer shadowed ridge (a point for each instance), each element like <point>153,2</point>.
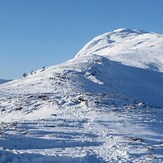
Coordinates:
<point>130,47</point>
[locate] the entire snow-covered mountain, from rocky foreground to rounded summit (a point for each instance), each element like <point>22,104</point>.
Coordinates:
<point>104,105</point>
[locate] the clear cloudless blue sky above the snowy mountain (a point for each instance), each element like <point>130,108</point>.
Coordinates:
<point>37,33</point>
